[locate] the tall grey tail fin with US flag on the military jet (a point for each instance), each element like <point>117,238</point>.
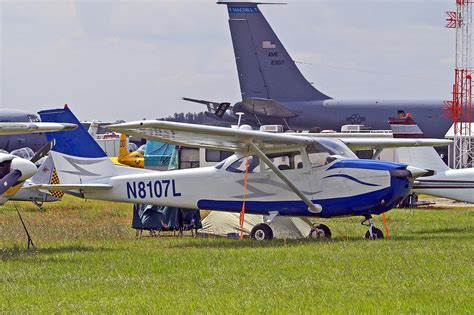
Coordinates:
<point>265,68</point>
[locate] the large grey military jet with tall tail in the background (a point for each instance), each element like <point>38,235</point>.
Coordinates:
<point>275,92</point>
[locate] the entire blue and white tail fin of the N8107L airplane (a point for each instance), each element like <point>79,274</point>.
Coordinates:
<point>77,156</point>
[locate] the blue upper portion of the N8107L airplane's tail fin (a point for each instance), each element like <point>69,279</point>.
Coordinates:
<point>77,142</point>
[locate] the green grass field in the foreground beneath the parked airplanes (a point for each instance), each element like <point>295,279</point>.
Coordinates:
<point>88,260</point>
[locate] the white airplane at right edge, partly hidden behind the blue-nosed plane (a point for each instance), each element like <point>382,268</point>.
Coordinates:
<point>456,184</point>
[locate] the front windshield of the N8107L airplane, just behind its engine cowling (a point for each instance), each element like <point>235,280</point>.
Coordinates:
<point>320,151</point>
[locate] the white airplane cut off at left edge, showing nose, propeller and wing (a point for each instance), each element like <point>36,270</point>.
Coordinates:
<point>14,171</point>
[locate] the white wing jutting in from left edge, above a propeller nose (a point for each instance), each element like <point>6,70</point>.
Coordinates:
<point>14,128</point>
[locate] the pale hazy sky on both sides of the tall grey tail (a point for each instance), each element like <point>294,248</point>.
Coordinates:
<point>131,60</point>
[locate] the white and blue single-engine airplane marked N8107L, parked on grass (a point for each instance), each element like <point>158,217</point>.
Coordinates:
<point>285,174</point>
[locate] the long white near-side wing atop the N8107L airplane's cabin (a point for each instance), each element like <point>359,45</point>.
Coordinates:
<point>218,138</point>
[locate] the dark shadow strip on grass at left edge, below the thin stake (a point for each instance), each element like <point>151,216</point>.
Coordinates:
<point>18,253</point>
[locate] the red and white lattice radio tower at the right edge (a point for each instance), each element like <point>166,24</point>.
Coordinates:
<point>460,108</point>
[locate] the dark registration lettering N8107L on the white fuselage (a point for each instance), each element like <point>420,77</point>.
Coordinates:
<point>152,189</point>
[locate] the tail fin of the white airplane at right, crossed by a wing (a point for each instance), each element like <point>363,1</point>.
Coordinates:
<point>421,157</point>
